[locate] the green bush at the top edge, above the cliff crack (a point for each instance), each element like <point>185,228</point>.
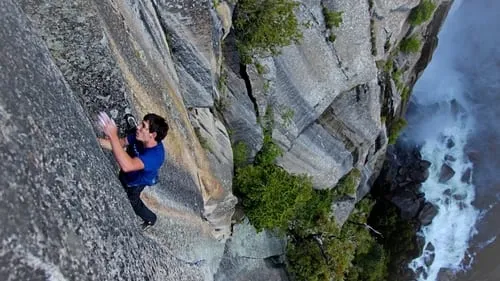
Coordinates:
<point>264,26</point>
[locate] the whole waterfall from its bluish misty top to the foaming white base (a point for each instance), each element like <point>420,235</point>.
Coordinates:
<point>443,114</point>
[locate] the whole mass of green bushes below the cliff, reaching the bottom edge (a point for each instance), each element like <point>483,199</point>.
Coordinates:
<point>318,250</point>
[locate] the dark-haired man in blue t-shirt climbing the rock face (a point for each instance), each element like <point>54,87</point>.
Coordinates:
<point>139,164</point>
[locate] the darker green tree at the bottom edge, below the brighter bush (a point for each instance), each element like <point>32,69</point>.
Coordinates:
<point>327,253</point>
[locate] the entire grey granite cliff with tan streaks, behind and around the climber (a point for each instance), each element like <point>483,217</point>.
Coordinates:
<point>64,214</point>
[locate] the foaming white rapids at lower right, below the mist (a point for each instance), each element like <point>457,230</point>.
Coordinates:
<point>453,227</point>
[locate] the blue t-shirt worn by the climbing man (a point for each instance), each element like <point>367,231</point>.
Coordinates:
<point>151,157</point>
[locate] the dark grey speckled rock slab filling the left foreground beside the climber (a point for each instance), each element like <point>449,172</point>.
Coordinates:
<point>63,216</point>
